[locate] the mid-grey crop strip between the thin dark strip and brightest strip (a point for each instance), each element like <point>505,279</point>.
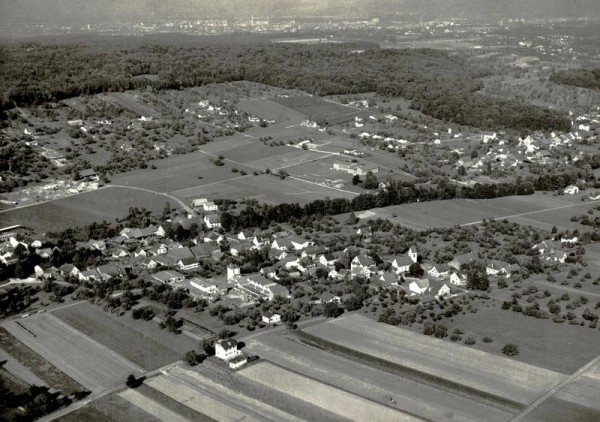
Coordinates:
<point>372,383</point>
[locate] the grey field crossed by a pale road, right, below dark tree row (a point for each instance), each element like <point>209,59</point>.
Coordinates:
<point>538,210</point>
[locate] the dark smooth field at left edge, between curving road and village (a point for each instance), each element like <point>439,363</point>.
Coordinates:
<point>103,204</point>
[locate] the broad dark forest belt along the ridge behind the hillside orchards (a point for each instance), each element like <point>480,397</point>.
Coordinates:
<point>443,86</point>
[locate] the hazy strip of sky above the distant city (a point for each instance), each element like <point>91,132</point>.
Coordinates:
<point>91,11</point>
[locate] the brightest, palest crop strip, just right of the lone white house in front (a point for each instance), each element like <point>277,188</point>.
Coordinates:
<point>321,395</point>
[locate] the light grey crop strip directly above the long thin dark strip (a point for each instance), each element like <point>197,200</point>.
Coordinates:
<point>477,370</point>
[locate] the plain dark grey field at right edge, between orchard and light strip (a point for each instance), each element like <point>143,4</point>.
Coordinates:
<point>534,338</point>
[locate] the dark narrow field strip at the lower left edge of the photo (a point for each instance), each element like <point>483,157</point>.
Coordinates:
<point>29,361</point>
